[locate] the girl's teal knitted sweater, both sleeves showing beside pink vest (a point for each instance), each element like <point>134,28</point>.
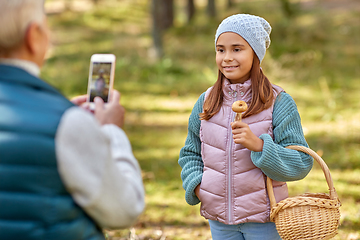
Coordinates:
<point>275,160</point>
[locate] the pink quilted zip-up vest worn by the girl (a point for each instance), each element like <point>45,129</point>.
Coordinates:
<point>232,189</point>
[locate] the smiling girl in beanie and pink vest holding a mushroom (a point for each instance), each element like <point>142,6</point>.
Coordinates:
<point>225,163</point>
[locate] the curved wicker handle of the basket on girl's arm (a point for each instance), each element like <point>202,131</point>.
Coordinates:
<point>324,167</point>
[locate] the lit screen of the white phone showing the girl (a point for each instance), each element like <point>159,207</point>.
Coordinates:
<point>100,80</point>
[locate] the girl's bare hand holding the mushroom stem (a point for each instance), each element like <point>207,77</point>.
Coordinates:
<point>243,135</point>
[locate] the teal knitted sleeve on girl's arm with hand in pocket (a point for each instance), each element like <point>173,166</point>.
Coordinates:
<point>190,155</point>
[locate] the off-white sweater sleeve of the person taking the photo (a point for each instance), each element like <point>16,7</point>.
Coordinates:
<point>99,170</point>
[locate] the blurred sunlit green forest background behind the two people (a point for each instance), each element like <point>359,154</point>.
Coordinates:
<point>166,59</point>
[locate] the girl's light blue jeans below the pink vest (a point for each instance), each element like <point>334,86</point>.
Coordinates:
<point>244,231</point>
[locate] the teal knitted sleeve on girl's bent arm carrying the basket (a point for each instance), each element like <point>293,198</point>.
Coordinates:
<point>276,161</point>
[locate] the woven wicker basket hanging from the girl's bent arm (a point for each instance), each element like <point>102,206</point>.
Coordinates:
<point>308,216</point>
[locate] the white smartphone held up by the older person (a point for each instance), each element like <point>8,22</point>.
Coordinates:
<point>101,77</point>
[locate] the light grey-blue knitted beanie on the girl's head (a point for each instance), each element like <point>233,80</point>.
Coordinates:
<point>255,30</point>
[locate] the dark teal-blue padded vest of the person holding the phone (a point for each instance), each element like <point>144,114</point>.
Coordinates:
<point>34,203</point>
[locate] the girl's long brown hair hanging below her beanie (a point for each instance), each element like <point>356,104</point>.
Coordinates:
<point>262,94</point>
